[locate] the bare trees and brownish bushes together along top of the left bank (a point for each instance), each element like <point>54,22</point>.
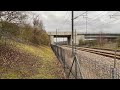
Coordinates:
<point>15,24</point>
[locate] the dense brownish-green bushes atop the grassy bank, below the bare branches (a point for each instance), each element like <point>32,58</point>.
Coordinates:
<point>26,33</point>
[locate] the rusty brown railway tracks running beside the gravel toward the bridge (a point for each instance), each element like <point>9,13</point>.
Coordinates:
<point>103,52</point>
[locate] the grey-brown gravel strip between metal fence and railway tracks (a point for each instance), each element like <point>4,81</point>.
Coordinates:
<point>94,66</point>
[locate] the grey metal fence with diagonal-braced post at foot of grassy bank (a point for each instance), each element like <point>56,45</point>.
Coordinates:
<point>72,69</point>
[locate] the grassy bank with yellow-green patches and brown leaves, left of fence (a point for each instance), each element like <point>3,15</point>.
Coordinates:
<point>23,61</point>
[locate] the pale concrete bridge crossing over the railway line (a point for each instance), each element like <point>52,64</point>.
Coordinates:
<point>83,36</point>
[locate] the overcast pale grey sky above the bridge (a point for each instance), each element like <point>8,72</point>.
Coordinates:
<point>96,21</point>
